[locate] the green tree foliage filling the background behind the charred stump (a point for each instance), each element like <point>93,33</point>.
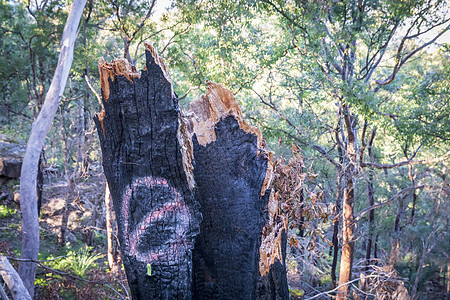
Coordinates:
<point>281,59</point>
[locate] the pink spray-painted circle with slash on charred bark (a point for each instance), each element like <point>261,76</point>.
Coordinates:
<point>177,205</point>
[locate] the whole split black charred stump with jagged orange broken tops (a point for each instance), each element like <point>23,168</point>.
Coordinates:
<point>190,190</point>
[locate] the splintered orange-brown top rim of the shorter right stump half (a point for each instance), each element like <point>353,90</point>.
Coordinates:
<point>212,107</point>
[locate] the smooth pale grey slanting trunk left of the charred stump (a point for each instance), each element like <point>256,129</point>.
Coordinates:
<point>28,193</point>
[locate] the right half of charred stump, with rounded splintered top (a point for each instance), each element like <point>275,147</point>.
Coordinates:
<point>230,171</point>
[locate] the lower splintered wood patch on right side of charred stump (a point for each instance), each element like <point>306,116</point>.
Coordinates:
<point>271,242</point>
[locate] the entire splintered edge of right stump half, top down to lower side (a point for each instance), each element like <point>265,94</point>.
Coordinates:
<point>205,112</point>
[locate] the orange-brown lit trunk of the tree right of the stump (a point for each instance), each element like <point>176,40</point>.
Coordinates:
<point>348,226</point>
